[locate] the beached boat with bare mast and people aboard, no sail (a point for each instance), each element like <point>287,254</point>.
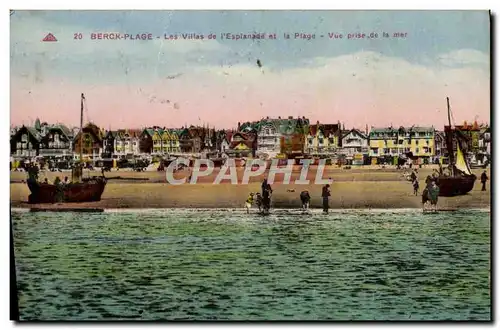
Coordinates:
<point>79,190</point>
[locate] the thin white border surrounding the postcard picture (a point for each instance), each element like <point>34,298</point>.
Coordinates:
<point>185,4</point>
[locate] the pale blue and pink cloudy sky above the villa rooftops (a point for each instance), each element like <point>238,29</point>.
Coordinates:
<point>374,82</point>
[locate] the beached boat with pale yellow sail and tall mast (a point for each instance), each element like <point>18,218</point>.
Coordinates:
<point>461,180</point>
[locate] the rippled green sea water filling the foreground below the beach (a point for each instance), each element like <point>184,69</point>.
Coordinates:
<point>223,265</point>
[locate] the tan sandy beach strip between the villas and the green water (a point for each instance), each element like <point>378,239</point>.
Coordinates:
<point>351,189</point>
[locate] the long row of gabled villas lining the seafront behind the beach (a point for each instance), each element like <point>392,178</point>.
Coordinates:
<point>267,138</point>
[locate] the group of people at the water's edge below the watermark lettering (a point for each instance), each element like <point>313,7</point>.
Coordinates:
<point>263,201</point>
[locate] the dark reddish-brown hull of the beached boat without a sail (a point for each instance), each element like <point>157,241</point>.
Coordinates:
<point>87,191</point>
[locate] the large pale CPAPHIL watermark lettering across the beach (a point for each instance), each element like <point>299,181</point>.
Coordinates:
<point>252,168</point>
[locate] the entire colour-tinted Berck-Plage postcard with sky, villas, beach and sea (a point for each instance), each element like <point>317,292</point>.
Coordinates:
<point>250,165</point>
